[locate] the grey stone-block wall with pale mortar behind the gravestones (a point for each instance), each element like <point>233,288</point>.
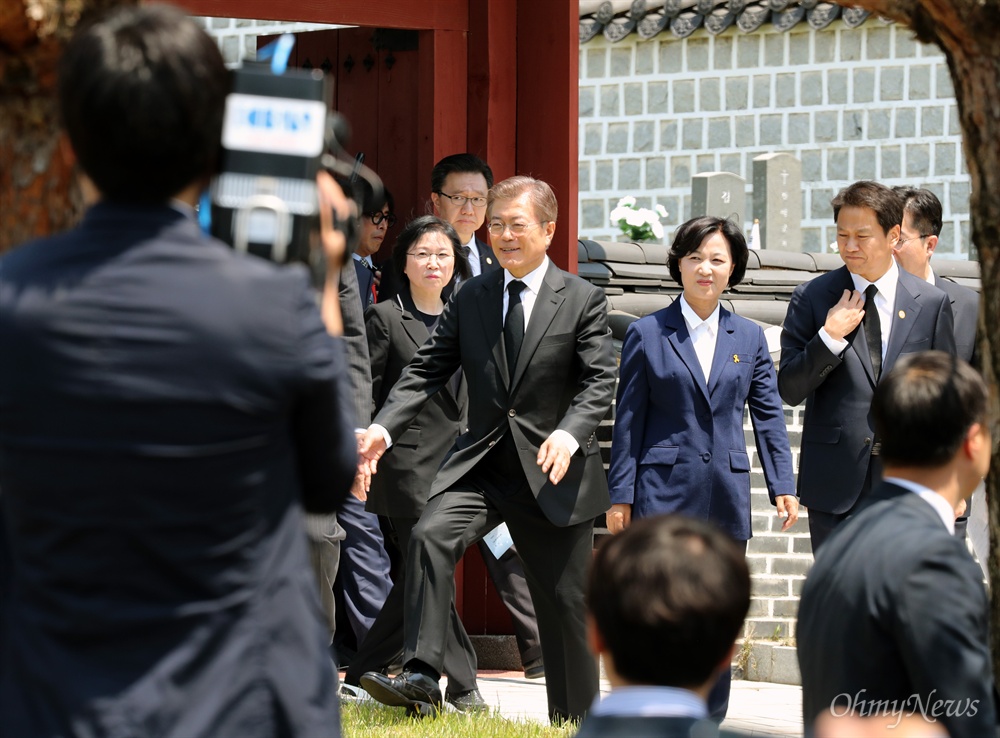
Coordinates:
<point>864,103</point>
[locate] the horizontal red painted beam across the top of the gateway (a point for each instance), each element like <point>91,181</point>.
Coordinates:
<point>415,14</point>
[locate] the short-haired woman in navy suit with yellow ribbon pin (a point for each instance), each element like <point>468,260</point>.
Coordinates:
<point>678,441</point>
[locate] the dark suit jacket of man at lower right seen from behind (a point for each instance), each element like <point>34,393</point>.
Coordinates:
<point>894,610</point>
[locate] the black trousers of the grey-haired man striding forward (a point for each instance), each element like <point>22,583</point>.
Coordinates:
<point>555,565</point>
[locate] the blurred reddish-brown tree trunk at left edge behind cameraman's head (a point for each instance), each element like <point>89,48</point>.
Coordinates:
<point>38,193</point>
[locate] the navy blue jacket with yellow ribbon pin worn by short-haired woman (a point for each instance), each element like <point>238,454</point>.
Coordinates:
<point>679,445</point>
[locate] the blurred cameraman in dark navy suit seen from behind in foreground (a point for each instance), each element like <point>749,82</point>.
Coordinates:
<point>167,409</point>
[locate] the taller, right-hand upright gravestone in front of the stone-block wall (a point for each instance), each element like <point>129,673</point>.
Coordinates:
<point>777,201</point>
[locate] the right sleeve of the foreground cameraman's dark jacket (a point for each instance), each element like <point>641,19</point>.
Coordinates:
<point>322,427</point>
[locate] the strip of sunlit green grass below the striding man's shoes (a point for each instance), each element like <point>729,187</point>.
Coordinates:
<point>370,720</point>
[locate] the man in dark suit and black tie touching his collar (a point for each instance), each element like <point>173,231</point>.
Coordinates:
<point>842,331</point>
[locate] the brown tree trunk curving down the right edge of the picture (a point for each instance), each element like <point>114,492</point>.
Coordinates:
<point>966,30</point>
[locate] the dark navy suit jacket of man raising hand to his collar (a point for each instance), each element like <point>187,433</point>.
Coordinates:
<point>838,431</point>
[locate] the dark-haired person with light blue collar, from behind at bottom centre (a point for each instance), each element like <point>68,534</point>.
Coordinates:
<point>641,606</point>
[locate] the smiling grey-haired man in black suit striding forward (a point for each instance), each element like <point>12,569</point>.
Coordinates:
<point>535,348</point>
